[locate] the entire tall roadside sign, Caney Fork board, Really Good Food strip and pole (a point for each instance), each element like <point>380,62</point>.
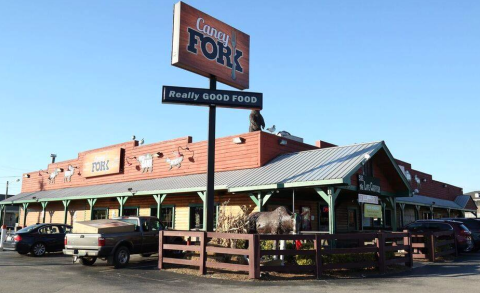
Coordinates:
<point>207,46</point>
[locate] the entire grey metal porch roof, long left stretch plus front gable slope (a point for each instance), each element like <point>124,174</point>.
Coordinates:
<point>336,163</point>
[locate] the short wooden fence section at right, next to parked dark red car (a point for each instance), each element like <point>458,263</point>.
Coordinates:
<point>425,245</point>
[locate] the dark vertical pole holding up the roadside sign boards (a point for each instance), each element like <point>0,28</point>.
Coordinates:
<point>210,196</point>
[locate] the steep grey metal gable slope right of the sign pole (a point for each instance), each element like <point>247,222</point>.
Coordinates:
<point>309,166</point>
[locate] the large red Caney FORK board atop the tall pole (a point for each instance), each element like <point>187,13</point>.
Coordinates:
<point>207,46</point>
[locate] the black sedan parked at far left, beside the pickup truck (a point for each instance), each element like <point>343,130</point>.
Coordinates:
<point>38,239</point>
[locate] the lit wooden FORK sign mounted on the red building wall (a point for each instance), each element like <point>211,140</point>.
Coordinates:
<point>102,163</point>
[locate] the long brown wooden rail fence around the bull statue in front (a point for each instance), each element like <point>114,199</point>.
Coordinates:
<point>326,246</point>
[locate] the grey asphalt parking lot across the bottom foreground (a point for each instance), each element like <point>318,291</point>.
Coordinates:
<point>56,273</point>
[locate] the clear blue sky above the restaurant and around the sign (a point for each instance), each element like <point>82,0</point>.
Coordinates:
<point>77,75</point>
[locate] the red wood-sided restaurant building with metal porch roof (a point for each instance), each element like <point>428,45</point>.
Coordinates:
<point>334,188</point>
